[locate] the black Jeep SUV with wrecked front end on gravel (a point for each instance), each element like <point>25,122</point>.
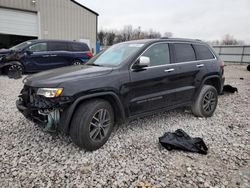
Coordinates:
<point>129,80</point>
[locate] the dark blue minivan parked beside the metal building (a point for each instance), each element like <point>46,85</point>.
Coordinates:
<point>40,55</point>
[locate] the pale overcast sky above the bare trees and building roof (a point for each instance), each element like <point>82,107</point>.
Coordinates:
<point>203,19</point>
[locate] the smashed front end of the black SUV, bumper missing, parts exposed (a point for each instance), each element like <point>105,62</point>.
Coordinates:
<point>40,109</point>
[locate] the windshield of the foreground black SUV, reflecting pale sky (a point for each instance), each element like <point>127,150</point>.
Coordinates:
<point>116,54</point>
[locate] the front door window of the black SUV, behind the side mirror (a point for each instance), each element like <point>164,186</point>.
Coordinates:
<point>158,54</point>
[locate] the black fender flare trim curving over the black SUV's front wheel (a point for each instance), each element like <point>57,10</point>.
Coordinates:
<point>67,116</point>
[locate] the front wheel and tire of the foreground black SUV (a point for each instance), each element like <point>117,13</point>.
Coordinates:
<point>86,130</point>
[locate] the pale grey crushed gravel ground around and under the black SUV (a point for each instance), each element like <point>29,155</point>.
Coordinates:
<point>132,157</point>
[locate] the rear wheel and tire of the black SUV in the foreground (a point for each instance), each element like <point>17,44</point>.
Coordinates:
<point>206,102</point>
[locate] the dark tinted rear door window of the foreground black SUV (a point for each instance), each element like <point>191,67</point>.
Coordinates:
<point>184,52</point>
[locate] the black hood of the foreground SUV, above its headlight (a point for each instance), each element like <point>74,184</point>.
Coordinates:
<point>55,77</point>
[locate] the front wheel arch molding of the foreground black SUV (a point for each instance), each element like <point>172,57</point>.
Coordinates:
<point>111,97</point>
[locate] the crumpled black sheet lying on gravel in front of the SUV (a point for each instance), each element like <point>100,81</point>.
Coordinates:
<point>180,140</point>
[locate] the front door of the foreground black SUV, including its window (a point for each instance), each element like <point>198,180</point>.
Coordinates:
<point>154,87</point>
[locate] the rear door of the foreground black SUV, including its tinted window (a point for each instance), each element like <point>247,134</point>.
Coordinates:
<point>187,71</point>
